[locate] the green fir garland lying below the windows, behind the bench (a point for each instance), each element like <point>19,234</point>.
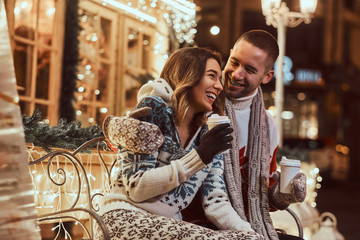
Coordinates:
<point>66,135</point>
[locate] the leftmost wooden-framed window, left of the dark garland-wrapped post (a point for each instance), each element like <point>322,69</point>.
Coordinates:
<point>32,29</point>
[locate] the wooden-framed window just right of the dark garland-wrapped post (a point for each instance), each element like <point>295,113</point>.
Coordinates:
<point>95,77</point>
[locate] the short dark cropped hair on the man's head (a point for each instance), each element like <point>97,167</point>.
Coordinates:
<point>263,40</point>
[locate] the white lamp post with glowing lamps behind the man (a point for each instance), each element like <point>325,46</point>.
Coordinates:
<point>278,15</point>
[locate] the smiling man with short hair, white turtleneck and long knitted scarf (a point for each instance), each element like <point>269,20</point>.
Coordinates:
<point>250,172</point>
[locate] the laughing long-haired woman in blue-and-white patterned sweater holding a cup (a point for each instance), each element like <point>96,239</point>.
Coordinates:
<point>152,189</point>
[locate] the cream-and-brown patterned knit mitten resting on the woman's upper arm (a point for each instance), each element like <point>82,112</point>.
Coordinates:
<point>132,134</point>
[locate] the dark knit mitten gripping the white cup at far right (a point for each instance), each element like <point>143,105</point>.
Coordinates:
<point>281,200</point>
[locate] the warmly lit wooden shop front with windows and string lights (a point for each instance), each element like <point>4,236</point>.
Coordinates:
<point>92,54</point>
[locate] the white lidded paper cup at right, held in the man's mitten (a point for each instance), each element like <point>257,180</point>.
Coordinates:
<point>289,168</point>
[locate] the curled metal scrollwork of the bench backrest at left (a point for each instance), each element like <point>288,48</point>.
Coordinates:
<point>57,173</point>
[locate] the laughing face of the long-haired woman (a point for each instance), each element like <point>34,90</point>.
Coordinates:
<point>204,94</point>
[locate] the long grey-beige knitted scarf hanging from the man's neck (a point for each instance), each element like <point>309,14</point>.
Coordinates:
<point>259,152</point>
